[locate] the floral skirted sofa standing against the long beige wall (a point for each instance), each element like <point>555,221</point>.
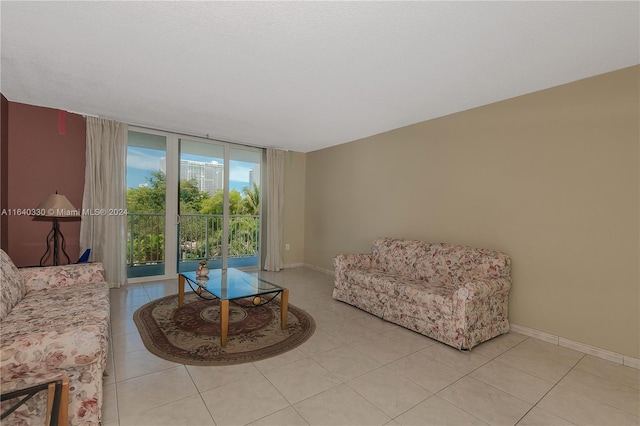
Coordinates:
<point>455,294</point>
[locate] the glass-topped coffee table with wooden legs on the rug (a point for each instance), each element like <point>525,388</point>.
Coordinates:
<point>229,284</point>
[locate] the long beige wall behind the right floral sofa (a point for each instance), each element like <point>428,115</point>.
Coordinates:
<point>551,178</point>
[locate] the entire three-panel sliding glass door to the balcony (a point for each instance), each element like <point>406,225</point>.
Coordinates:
<point>191,199</point>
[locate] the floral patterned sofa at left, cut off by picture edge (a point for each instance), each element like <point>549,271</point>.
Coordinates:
<point>55,323</point>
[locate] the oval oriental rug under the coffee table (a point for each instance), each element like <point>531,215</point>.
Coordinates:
<point>191,334</point>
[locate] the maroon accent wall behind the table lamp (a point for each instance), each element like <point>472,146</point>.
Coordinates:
<point>41,162</point>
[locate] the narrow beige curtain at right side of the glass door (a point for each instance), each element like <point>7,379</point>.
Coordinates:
<point>275,202</point>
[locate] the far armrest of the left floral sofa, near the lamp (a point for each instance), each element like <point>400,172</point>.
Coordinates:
<point>62,275</point>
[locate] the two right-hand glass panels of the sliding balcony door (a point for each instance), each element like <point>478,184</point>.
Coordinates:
<point>219,205</point>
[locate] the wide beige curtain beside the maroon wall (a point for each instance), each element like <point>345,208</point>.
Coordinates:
<point>105,197</point>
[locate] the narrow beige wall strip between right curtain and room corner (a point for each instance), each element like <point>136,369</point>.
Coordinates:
<point>294,199</point>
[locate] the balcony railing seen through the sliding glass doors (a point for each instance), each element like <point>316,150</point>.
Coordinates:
<point>200,237</point>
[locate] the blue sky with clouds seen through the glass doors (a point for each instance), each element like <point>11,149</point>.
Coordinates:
<point>141,162</point>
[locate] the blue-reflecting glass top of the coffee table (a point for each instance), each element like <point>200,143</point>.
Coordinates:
<point>232,283</point>
